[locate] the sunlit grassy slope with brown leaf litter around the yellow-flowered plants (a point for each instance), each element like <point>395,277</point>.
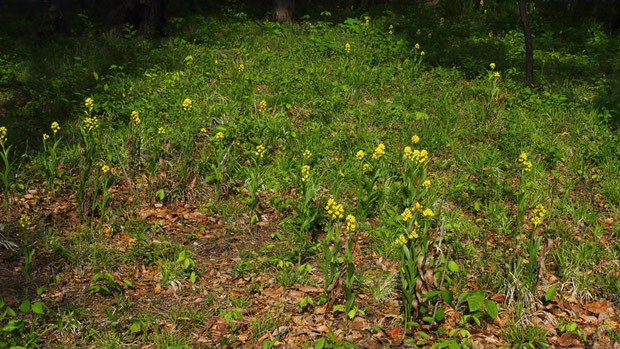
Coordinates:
<point>333,103</point>
